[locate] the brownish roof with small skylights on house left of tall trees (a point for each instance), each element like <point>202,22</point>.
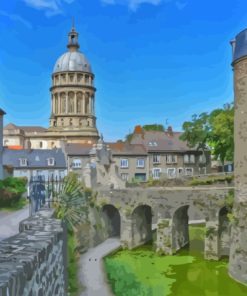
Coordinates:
<point>157,141</point>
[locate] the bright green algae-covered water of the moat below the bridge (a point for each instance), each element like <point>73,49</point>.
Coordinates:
<point>141,272</point>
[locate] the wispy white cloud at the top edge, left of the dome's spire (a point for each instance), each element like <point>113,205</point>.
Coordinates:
<point>51,7</point>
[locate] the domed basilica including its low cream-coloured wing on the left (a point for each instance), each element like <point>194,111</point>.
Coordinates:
<point>72,105</point>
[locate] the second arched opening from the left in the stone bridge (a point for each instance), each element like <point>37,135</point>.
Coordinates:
<point>141,225</point>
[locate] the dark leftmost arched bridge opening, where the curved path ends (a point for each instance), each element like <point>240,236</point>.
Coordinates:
<point>112,220</point>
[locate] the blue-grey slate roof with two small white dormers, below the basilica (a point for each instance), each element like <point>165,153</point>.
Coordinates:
<point>36,158</point>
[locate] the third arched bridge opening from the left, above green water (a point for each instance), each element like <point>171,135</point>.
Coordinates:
<point>180,228</point>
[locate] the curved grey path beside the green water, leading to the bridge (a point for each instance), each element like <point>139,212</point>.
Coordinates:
<point>92,275</point>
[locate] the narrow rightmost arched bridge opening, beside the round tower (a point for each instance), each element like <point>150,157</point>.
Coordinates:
<point>224,232</point>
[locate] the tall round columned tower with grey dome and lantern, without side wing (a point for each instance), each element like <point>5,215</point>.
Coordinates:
<point>73,95</point>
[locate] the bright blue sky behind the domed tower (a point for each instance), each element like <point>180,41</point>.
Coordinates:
<point>155,61</point>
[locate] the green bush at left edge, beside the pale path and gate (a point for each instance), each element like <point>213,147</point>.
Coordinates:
<point>11,190</point>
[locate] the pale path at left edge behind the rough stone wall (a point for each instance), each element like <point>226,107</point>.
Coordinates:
<point>9,222</point>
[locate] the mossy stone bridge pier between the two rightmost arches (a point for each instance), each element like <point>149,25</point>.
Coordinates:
<point>211,247</point>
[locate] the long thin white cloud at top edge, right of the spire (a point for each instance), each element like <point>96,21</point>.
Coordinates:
<point>134,4</point>
